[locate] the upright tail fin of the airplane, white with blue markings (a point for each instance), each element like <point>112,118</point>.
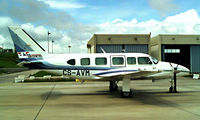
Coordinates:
<point>25,45</point>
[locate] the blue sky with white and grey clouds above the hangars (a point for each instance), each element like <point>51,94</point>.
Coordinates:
<point>75,21</point>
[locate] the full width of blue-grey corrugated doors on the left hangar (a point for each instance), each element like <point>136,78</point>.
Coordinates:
<point>119,48</point>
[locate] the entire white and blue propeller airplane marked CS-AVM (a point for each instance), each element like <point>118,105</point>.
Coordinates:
<point>111,67</point>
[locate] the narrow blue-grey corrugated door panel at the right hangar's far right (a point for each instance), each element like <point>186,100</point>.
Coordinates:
<point>195,58</point>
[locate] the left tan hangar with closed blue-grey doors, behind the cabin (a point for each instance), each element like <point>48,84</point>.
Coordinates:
<point>117,43</point>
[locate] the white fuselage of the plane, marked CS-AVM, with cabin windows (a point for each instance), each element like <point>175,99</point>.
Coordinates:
<point>105,65</point>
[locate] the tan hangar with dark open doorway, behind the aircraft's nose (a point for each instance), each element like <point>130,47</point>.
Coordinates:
<point>180,49</point>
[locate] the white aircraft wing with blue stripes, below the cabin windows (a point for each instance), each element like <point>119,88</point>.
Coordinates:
<point>135,73</point>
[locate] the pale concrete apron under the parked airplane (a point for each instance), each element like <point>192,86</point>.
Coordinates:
<point>93,101</point>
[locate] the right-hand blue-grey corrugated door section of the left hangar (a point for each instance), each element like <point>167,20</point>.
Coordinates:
<point>136,48</point>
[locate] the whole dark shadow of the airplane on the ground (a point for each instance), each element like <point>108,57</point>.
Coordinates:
<point>150,97</point>
